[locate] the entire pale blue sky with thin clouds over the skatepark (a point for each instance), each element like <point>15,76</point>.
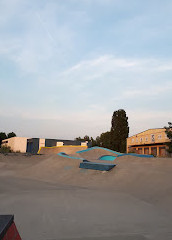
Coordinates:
<point>67,65</point>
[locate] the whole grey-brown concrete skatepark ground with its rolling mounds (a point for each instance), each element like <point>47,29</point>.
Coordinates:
<point>52,198</point>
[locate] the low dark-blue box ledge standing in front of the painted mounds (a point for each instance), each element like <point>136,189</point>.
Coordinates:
<point>96,166</point>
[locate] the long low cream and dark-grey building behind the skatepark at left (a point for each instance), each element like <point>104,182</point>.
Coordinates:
<point>33,145</point>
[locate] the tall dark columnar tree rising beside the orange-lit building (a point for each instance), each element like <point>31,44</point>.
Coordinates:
<point>119,130</point>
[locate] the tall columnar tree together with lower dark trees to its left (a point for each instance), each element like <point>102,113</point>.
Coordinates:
<point>115,139</point>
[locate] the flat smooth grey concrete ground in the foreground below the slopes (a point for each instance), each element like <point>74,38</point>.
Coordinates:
<point>50,211</point>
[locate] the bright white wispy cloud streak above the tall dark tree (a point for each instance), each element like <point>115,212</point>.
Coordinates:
<point>112,70</point>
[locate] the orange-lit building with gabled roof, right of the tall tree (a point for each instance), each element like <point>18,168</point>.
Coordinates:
<point>151,141</point>
